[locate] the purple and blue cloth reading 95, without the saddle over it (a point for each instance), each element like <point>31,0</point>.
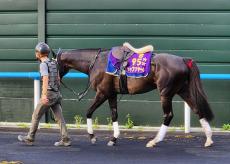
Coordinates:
<point>138,65</point>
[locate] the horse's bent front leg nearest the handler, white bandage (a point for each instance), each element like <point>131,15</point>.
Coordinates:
<point>99,99</point>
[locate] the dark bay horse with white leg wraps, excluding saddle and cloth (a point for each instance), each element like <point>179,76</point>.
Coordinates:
<point>170,75</point>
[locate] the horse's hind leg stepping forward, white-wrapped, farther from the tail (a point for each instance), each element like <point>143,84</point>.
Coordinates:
<point>168,115</point>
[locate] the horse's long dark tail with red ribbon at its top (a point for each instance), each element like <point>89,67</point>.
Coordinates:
<point>196,91</point>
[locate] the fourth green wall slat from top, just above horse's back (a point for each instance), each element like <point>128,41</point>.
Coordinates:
<point>160,43</point>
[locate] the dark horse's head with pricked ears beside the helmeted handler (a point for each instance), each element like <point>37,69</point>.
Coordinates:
<point>62,67</point>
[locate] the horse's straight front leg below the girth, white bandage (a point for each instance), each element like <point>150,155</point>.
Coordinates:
<point>113,108</point>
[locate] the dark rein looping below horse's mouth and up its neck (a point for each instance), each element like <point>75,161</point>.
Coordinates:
<point>83,93</point>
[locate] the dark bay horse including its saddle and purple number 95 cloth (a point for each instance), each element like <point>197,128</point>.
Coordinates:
<point>143,72</point>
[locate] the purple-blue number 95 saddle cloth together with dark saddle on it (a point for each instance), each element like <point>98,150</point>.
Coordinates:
<point>134,65</point>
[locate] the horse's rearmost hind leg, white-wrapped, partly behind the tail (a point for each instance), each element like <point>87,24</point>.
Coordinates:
<point>204,123</point>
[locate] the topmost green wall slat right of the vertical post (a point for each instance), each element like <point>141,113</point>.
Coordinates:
<point>138,5</point>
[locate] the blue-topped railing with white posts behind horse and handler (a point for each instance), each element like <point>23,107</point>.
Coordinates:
<point>36,77</point>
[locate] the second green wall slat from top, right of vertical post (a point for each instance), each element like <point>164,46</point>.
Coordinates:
<point>138,17</point>
